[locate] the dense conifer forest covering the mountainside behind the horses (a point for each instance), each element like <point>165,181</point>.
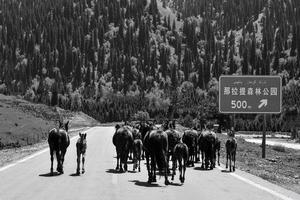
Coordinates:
<point>113,59</point>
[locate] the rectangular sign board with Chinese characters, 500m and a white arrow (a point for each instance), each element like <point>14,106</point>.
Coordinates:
<point>250,94</point>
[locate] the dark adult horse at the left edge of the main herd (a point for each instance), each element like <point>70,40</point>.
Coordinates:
<point>123,141</point>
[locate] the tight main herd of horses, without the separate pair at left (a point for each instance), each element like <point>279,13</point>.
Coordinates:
<point>161,144</point>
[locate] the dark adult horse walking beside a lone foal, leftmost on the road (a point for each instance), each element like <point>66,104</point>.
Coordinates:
<point>58,140</point>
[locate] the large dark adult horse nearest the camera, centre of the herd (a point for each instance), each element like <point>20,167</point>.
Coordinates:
<point>156,147</point>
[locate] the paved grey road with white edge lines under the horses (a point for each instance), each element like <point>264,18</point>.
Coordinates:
<point>29,179</point>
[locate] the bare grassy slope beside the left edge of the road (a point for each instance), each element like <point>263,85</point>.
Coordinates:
<point>23,123</point>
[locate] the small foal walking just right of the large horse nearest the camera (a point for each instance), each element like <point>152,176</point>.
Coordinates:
<point>180,154</point>
